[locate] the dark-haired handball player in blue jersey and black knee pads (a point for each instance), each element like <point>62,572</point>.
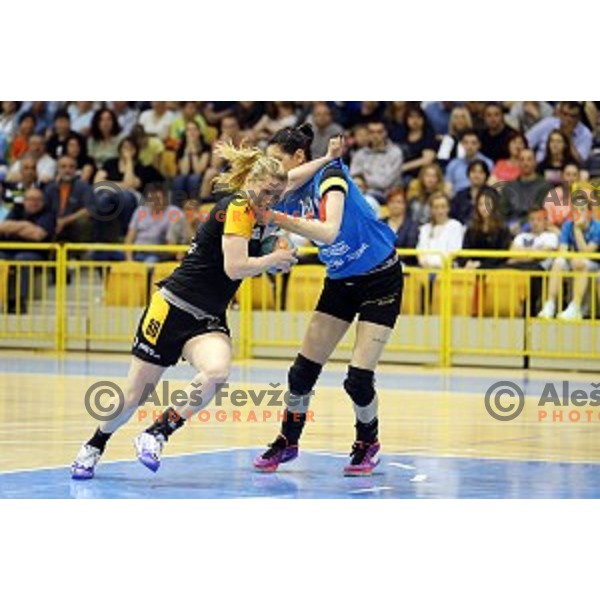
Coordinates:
<point>364,279</point>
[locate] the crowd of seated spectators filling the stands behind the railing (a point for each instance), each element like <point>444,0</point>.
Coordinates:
<point>443,175</point>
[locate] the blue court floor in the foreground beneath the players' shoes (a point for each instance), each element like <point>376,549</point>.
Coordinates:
<point>228,474</point>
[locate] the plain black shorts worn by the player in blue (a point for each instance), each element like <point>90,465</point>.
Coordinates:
<point>375,297</point>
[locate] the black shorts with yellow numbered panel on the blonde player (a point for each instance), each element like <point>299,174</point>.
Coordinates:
<point>164,329</point>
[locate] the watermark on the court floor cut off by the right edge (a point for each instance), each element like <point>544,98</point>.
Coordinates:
<point>559,402</point>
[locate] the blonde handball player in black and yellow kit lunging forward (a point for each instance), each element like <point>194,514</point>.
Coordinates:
<point>186,315</point>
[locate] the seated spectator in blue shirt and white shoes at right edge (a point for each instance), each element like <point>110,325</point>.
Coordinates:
<point>580,233</point>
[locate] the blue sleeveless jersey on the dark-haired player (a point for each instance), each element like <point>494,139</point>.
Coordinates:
<point>362,243</point>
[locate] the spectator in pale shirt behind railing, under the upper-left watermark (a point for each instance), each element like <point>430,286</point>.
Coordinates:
<point>150,223</point>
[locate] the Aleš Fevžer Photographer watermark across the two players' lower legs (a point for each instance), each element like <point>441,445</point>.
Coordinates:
<point>105,400</point>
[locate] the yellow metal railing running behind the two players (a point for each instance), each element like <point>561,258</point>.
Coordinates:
<point>449,314</point>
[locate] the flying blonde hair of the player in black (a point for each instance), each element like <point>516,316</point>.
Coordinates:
<point>246,164</point>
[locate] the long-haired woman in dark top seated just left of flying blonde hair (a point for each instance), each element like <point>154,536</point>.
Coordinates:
<point>193,158</point>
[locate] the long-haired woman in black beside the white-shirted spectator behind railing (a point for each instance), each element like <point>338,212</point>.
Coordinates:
<point>486,231</point>
